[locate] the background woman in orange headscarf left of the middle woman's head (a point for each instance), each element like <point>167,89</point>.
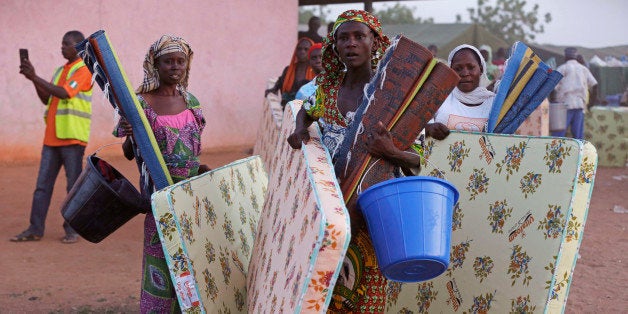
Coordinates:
<point>297,73</point>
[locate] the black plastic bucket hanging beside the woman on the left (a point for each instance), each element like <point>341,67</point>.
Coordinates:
<point>101,201</point>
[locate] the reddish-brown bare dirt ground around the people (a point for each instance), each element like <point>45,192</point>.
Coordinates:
<point>50,277</point>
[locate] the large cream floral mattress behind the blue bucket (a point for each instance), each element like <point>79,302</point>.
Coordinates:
<point>516,228</point>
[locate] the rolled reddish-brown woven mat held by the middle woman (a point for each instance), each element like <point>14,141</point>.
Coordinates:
<point>404,94</point>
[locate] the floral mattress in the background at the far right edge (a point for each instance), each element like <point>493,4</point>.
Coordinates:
<point>607,129</point>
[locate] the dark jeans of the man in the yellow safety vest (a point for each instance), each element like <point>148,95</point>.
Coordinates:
<point>52,158</point>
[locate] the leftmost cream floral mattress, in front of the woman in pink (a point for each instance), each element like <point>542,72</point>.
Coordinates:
<point>207,226</point>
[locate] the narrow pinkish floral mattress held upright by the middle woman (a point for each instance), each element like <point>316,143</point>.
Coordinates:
<point>303,231</point>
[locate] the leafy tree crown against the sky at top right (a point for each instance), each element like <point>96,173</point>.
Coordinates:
<point>509,19</point>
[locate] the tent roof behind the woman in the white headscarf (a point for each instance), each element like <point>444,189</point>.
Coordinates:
<point>446,36</point>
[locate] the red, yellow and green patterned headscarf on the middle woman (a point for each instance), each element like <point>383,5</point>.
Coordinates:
<point>334,70</point>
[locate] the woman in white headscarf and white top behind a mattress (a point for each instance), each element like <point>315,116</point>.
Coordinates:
<point>469,105</point>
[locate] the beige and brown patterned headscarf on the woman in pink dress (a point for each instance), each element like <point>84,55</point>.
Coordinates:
<point>165,44</point>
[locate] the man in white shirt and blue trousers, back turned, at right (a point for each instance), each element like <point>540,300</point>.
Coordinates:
<point>576,89</point>
